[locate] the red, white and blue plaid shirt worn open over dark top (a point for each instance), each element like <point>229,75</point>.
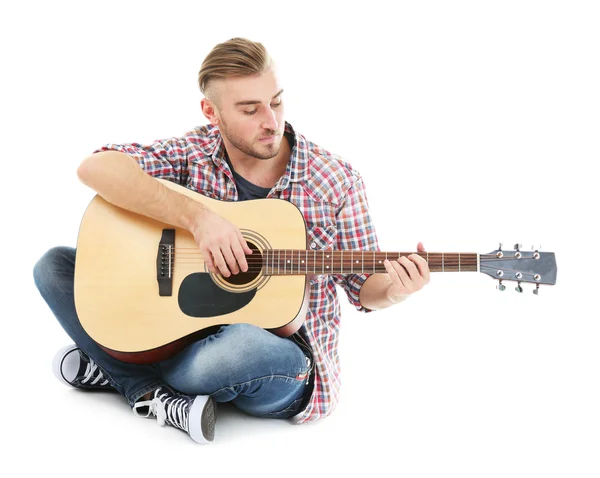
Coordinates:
<point>331,196</point>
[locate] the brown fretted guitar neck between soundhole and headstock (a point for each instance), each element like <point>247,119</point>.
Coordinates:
<point>298,262</point>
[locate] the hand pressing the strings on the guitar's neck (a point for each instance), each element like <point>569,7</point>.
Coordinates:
<point>408,275</point>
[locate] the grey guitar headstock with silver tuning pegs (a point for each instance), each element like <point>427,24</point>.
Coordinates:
<point>519,266</point>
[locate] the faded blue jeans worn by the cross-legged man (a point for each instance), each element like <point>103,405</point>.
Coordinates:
<point>260,373</point>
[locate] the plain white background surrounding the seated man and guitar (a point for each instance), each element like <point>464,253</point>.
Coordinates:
<point>472,123</point>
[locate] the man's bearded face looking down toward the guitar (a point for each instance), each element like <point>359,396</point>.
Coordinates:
<point>250,112</point>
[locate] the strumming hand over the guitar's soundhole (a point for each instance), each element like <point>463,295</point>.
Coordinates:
<point>222,245</point>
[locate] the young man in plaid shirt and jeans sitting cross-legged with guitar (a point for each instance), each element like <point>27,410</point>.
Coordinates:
<point>246,151</point>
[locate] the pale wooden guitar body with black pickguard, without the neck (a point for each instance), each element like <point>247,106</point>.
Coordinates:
<point>117,290</point>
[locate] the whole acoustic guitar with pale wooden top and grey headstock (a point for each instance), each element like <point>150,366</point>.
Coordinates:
<point>143,291</point>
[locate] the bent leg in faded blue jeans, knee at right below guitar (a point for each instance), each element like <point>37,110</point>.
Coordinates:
<point>260,373</point>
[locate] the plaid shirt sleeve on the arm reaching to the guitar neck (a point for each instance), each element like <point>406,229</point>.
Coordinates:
<point>356,232</point>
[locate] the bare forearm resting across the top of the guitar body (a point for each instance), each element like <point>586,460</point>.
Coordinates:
<point>118,178</point>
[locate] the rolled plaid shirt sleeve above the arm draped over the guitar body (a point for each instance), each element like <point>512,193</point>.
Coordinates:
<point>164,158</point>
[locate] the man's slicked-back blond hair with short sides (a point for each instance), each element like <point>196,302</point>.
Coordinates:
<point>235,57</point>
